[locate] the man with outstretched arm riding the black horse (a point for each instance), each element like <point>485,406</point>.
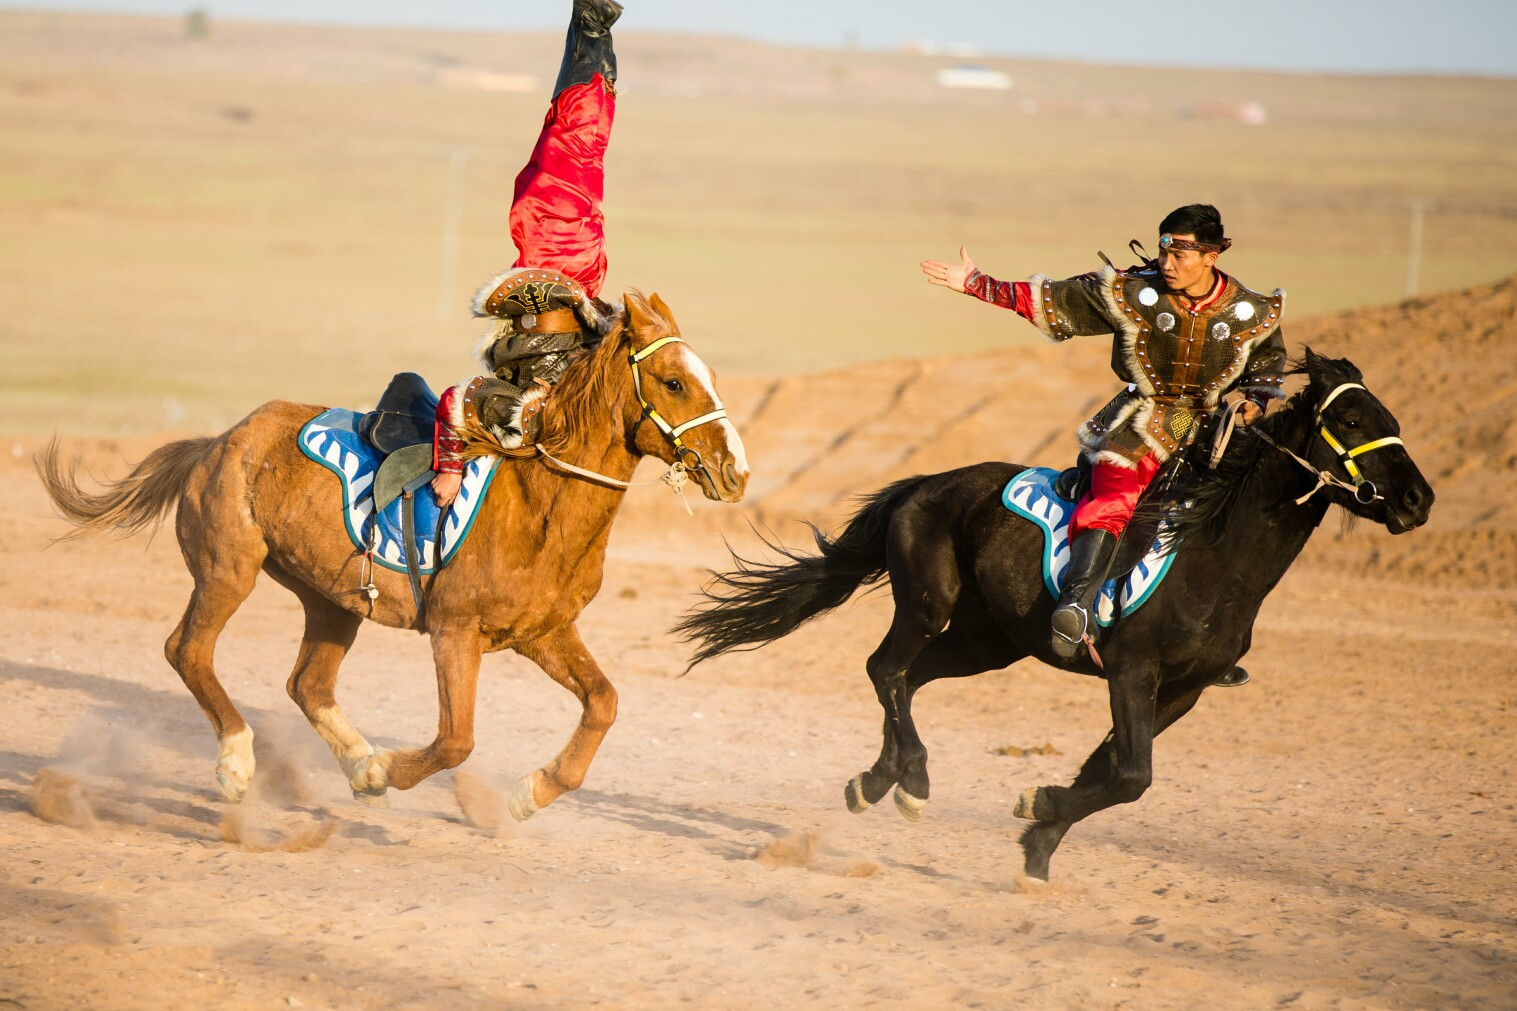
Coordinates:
<point>1186,336</point>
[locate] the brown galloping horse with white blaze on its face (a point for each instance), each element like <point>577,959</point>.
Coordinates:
<point>251,500</point>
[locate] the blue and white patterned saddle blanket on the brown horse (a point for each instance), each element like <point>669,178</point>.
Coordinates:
<point>333,441</point>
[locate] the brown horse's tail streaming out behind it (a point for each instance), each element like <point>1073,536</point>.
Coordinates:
<point>136,502</point>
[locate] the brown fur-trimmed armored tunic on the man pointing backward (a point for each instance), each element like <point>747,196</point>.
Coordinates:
<point>1176,359</point>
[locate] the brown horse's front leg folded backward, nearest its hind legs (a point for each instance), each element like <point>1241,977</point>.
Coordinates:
<point>456,652</point>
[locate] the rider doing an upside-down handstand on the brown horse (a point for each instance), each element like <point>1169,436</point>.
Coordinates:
<point>547,306</point>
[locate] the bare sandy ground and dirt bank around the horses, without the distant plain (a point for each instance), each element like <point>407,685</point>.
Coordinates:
<point>1337,834</point>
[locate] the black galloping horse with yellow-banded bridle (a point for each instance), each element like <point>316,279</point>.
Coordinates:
<point>970,597</point>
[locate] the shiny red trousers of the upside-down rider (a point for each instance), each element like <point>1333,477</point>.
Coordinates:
<point>556,215</point>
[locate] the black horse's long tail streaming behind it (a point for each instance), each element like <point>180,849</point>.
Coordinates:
<point>762,602</point>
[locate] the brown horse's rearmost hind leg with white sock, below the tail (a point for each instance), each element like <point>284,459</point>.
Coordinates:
<point>224,578</point>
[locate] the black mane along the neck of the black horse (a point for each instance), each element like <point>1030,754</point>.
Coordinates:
<point>1199,499</point>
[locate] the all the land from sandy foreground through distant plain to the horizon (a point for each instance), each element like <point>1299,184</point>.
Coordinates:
<point>1337,834</point>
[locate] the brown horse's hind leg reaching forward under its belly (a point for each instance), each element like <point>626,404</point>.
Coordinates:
<point>330,634</point>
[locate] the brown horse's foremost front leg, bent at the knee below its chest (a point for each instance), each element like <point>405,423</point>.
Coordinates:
<point>565,660</point>
